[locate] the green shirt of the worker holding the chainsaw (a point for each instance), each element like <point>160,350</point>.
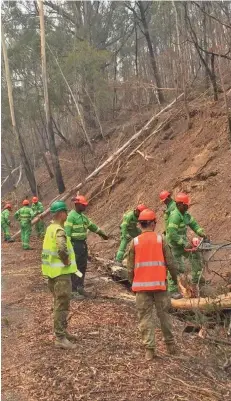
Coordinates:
<point>177,228</point>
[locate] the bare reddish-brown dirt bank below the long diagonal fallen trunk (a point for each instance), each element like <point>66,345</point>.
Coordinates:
<point>195,160</point>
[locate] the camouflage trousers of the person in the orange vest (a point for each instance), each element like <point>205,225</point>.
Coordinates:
<point>145,301</point>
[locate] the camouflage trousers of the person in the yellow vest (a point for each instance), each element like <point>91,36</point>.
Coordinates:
<point>61,290</point>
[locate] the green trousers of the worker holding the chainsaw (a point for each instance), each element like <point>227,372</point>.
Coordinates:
<point>180,256</point>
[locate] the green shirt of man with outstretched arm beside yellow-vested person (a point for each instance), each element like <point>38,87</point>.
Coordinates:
<point>77,224</point>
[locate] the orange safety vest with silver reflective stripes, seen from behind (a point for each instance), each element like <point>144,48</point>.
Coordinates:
<point>150,273</point>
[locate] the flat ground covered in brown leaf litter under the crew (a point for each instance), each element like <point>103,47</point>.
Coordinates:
<point>108,363</point>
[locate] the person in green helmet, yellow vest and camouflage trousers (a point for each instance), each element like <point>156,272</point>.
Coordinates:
<point>58,263</point>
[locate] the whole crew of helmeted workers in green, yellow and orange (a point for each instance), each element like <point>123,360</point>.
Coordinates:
<point>153,261</point>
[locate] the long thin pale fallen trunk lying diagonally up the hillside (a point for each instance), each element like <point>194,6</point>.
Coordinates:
<point>107,162</point>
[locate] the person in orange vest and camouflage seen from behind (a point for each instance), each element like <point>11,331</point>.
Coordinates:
<point>149,257</point>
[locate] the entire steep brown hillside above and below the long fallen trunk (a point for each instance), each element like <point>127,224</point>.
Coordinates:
<point>196,160</point>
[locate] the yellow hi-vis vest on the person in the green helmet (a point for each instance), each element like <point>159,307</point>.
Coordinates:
<point>52,266</point>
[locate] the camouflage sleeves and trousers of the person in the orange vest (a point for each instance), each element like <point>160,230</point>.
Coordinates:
<point>145,300</point>
